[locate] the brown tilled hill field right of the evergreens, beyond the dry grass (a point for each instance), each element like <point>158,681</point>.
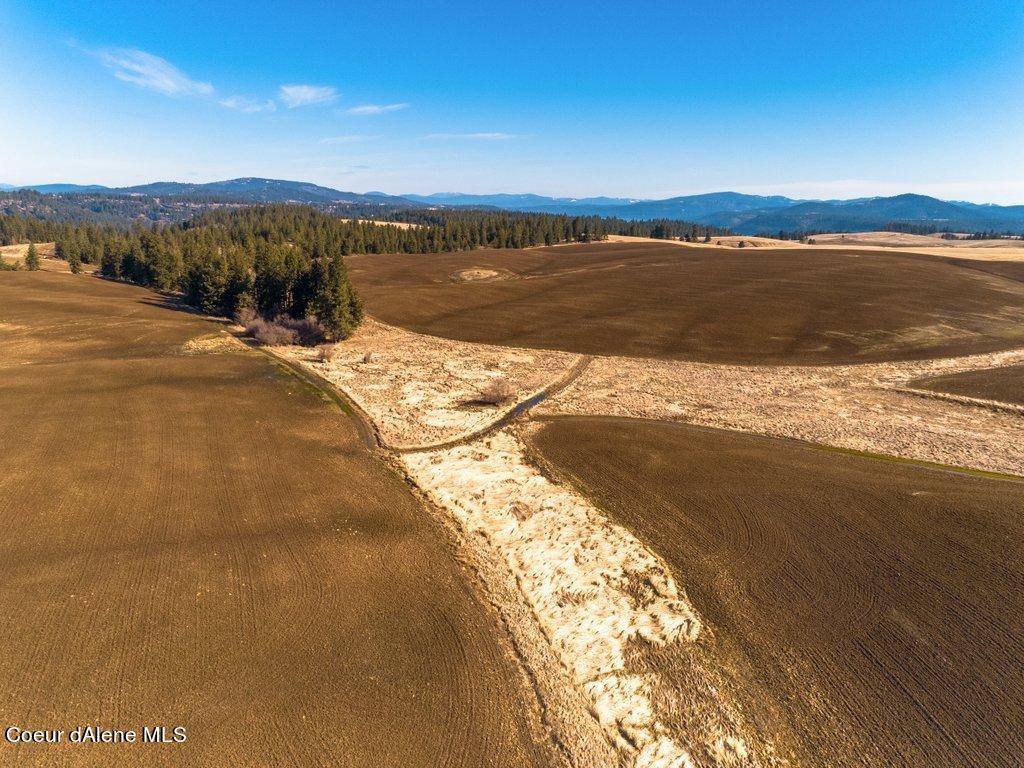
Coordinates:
<point>808,307</point>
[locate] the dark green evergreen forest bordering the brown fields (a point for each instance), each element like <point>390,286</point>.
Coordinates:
<point>288,260</point>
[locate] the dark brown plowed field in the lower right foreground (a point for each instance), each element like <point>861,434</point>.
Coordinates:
<point>869,613</point>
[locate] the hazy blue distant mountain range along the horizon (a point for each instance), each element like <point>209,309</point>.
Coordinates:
<point>745,215</point>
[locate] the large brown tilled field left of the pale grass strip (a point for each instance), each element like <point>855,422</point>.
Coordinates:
<point>199,540</point>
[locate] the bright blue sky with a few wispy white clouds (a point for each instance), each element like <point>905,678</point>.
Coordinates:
<point>652,100</point>
